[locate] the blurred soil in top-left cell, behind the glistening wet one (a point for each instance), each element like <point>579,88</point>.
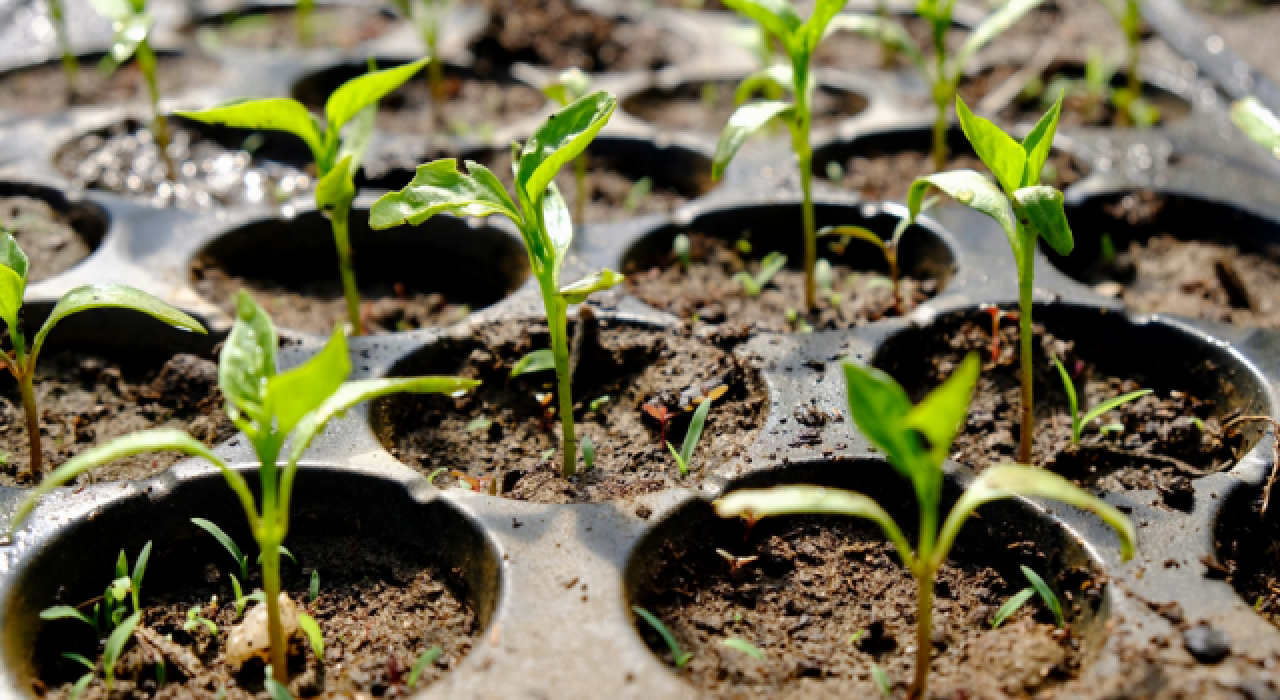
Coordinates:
<point>43,90</point>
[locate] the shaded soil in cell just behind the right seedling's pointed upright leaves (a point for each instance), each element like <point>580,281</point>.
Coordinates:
<point>883,167</point>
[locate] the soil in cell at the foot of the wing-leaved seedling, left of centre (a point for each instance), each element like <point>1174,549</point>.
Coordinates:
<point>321,306</point>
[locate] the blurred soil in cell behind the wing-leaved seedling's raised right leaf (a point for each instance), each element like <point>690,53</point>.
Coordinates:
<point>473,107</point>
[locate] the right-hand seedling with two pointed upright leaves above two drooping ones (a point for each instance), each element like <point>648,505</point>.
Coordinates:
<point>1025,209</point>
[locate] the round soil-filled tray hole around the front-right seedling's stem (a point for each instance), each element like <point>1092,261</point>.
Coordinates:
<point>820,580</point>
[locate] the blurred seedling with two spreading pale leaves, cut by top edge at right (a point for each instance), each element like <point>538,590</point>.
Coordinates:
<point>940,71</point>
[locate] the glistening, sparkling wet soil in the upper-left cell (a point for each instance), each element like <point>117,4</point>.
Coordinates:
<point>125,159</point>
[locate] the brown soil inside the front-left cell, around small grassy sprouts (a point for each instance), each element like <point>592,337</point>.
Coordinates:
<point>381,607</point>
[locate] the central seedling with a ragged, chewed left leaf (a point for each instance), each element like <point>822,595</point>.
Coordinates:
<point>542,218</point>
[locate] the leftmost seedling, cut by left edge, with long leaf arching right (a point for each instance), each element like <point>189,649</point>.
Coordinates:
<point>21,359</point>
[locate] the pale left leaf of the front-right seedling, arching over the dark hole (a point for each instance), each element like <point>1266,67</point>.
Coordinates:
<point>812,501</point>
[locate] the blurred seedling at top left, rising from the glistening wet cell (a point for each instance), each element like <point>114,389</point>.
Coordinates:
<point>132,25</point>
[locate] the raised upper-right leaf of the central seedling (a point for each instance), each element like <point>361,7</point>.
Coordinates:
<point>560,140</point>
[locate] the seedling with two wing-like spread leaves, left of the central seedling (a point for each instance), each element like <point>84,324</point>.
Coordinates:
<point>337,144</point>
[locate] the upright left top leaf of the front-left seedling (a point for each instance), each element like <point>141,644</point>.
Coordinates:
<point>248,362</point>
